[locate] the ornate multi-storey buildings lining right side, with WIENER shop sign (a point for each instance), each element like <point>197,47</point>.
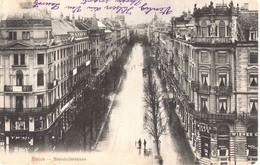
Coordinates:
<point>209,64</point>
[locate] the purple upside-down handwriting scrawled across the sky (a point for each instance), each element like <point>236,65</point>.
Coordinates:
<point>126,7</point>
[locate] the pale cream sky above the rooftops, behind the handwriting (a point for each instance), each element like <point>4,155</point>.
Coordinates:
<point>137,16</point>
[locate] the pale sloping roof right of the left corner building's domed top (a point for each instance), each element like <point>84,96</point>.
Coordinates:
<point>62,27</point>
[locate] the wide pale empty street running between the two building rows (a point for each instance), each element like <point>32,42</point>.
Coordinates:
<point>125,126</point>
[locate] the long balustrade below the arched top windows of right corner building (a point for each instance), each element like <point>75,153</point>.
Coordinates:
<point>212,40</point>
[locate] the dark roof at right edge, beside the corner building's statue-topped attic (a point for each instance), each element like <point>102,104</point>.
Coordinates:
<point>247,21</point>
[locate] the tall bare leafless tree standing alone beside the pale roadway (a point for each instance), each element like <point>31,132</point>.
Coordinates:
<point>154,121</point>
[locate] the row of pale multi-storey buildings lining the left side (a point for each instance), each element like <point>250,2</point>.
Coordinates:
<point>46,65</point>
